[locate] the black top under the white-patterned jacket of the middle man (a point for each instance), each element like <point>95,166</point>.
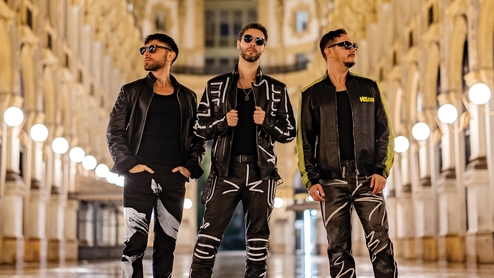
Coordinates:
<point>244,134</point>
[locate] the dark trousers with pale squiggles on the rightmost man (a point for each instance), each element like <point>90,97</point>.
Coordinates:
<point>340,197</point>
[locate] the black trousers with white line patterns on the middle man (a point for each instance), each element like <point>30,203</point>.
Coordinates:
<point>257,197</point>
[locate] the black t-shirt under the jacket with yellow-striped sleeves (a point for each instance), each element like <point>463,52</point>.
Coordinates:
<point>345,126</point>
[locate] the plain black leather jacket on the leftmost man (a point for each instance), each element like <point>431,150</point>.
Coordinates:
<point>128,117</point>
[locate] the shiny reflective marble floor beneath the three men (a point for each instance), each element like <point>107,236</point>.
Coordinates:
<point>230,264</point>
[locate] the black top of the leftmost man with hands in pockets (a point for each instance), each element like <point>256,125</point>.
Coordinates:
<point>161,137</point>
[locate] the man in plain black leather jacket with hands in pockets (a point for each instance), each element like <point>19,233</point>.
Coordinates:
<point>151,140</point>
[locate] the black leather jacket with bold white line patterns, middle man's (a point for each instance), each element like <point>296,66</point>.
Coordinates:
<point>220,96</point>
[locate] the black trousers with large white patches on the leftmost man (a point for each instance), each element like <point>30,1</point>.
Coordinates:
<point>164,193</point>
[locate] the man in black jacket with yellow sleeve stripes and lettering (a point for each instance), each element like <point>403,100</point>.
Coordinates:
<point>345,148</point>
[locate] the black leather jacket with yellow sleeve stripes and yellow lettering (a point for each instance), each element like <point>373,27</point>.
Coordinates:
<point>318,143</point>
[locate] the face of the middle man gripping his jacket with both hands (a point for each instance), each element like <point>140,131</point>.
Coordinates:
<point>249,47</point>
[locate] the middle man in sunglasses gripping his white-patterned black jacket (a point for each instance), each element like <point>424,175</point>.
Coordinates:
<point>244,112</point>
